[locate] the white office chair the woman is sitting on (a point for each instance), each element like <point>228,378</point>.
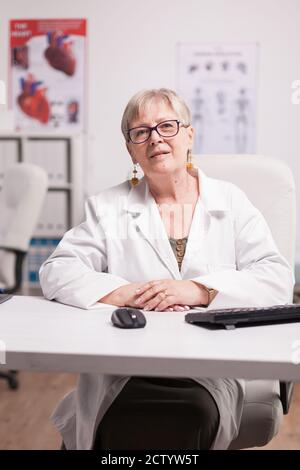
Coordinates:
<point>269,185</point>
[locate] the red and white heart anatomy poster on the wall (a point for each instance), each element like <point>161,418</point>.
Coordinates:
<point>47,85</point>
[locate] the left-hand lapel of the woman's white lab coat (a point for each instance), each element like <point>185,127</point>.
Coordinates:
<point>144,215</point>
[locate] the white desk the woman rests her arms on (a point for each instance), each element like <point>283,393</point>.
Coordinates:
<point>47,336</point>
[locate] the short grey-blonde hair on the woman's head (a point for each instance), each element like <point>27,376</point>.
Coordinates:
<point>140,100</point>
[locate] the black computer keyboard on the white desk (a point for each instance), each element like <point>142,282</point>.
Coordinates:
<point>232,317</point>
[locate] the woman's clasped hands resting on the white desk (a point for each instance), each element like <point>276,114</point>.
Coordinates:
<point>166,293</point>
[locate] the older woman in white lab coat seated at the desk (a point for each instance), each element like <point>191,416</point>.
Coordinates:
<point>167,242</point>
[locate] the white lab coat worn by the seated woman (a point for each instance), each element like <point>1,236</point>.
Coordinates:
<point>123,240</point>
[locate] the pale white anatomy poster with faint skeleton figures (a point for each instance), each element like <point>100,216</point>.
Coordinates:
<point>218,81</point>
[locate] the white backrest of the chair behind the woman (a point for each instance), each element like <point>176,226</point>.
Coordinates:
<point>269,185</point>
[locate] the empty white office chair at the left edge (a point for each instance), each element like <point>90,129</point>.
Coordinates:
<point>21,198</point>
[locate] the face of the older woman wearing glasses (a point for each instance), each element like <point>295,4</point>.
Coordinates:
<point>160,154</point>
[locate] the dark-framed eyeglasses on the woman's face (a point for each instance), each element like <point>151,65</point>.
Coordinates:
<point>170,128</point>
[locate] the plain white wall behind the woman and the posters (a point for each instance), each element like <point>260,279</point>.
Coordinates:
<point>132,46</point>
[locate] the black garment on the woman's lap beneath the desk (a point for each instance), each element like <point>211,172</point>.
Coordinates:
<point>159,413</point>
